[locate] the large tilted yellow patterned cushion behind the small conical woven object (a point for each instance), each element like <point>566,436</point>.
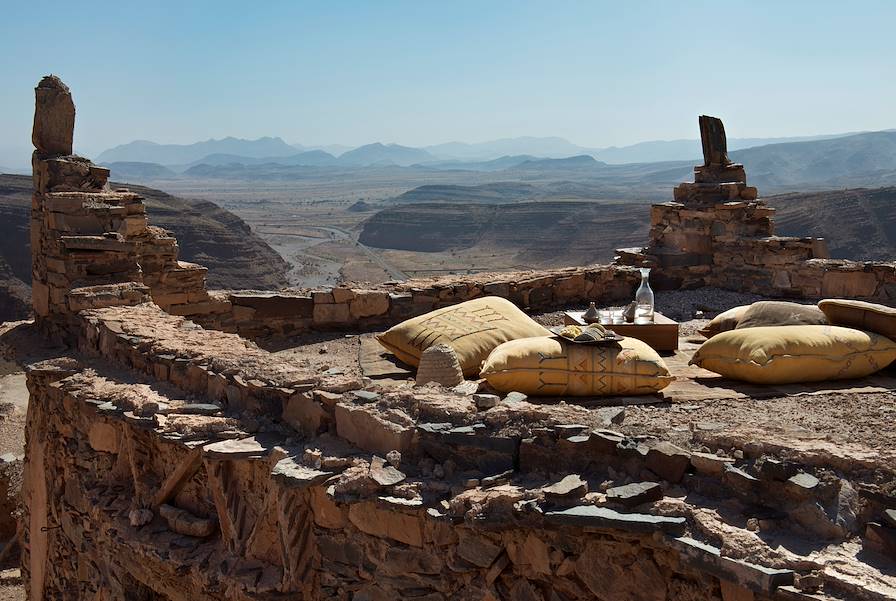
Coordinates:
<point>473,329</point>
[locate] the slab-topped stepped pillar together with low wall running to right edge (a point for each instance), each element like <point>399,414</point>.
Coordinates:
<point>718,233</point>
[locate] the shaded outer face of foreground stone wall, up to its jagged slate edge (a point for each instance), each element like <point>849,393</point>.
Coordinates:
<point>264,516</point>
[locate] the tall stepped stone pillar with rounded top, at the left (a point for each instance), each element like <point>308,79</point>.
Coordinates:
<point>92,246</point>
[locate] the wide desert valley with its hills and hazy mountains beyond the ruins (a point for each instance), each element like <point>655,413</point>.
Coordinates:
<point>260,216</point>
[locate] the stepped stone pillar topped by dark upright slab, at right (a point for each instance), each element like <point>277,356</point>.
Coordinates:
<point>717,232</point>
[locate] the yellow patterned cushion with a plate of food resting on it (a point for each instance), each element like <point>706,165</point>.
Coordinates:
<point>546,366</point>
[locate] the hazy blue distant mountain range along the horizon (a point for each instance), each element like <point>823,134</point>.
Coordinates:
<point>864,159</point>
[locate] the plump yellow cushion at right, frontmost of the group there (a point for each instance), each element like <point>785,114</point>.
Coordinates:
<point>787,354</point>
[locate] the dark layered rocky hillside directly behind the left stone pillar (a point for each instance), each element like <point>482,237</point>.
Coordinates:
<point>207,234</point>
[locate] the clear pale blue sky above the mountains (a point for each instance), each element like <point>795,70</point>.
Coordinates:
<point>424,72</point>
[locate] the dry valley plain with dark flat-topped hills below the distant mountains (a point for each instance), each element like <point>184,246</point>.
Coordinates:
<point>381,225</point>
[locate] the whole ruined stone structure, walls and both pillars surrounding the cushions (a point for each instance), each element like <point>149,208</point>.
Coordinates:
<point>169,458</point>
